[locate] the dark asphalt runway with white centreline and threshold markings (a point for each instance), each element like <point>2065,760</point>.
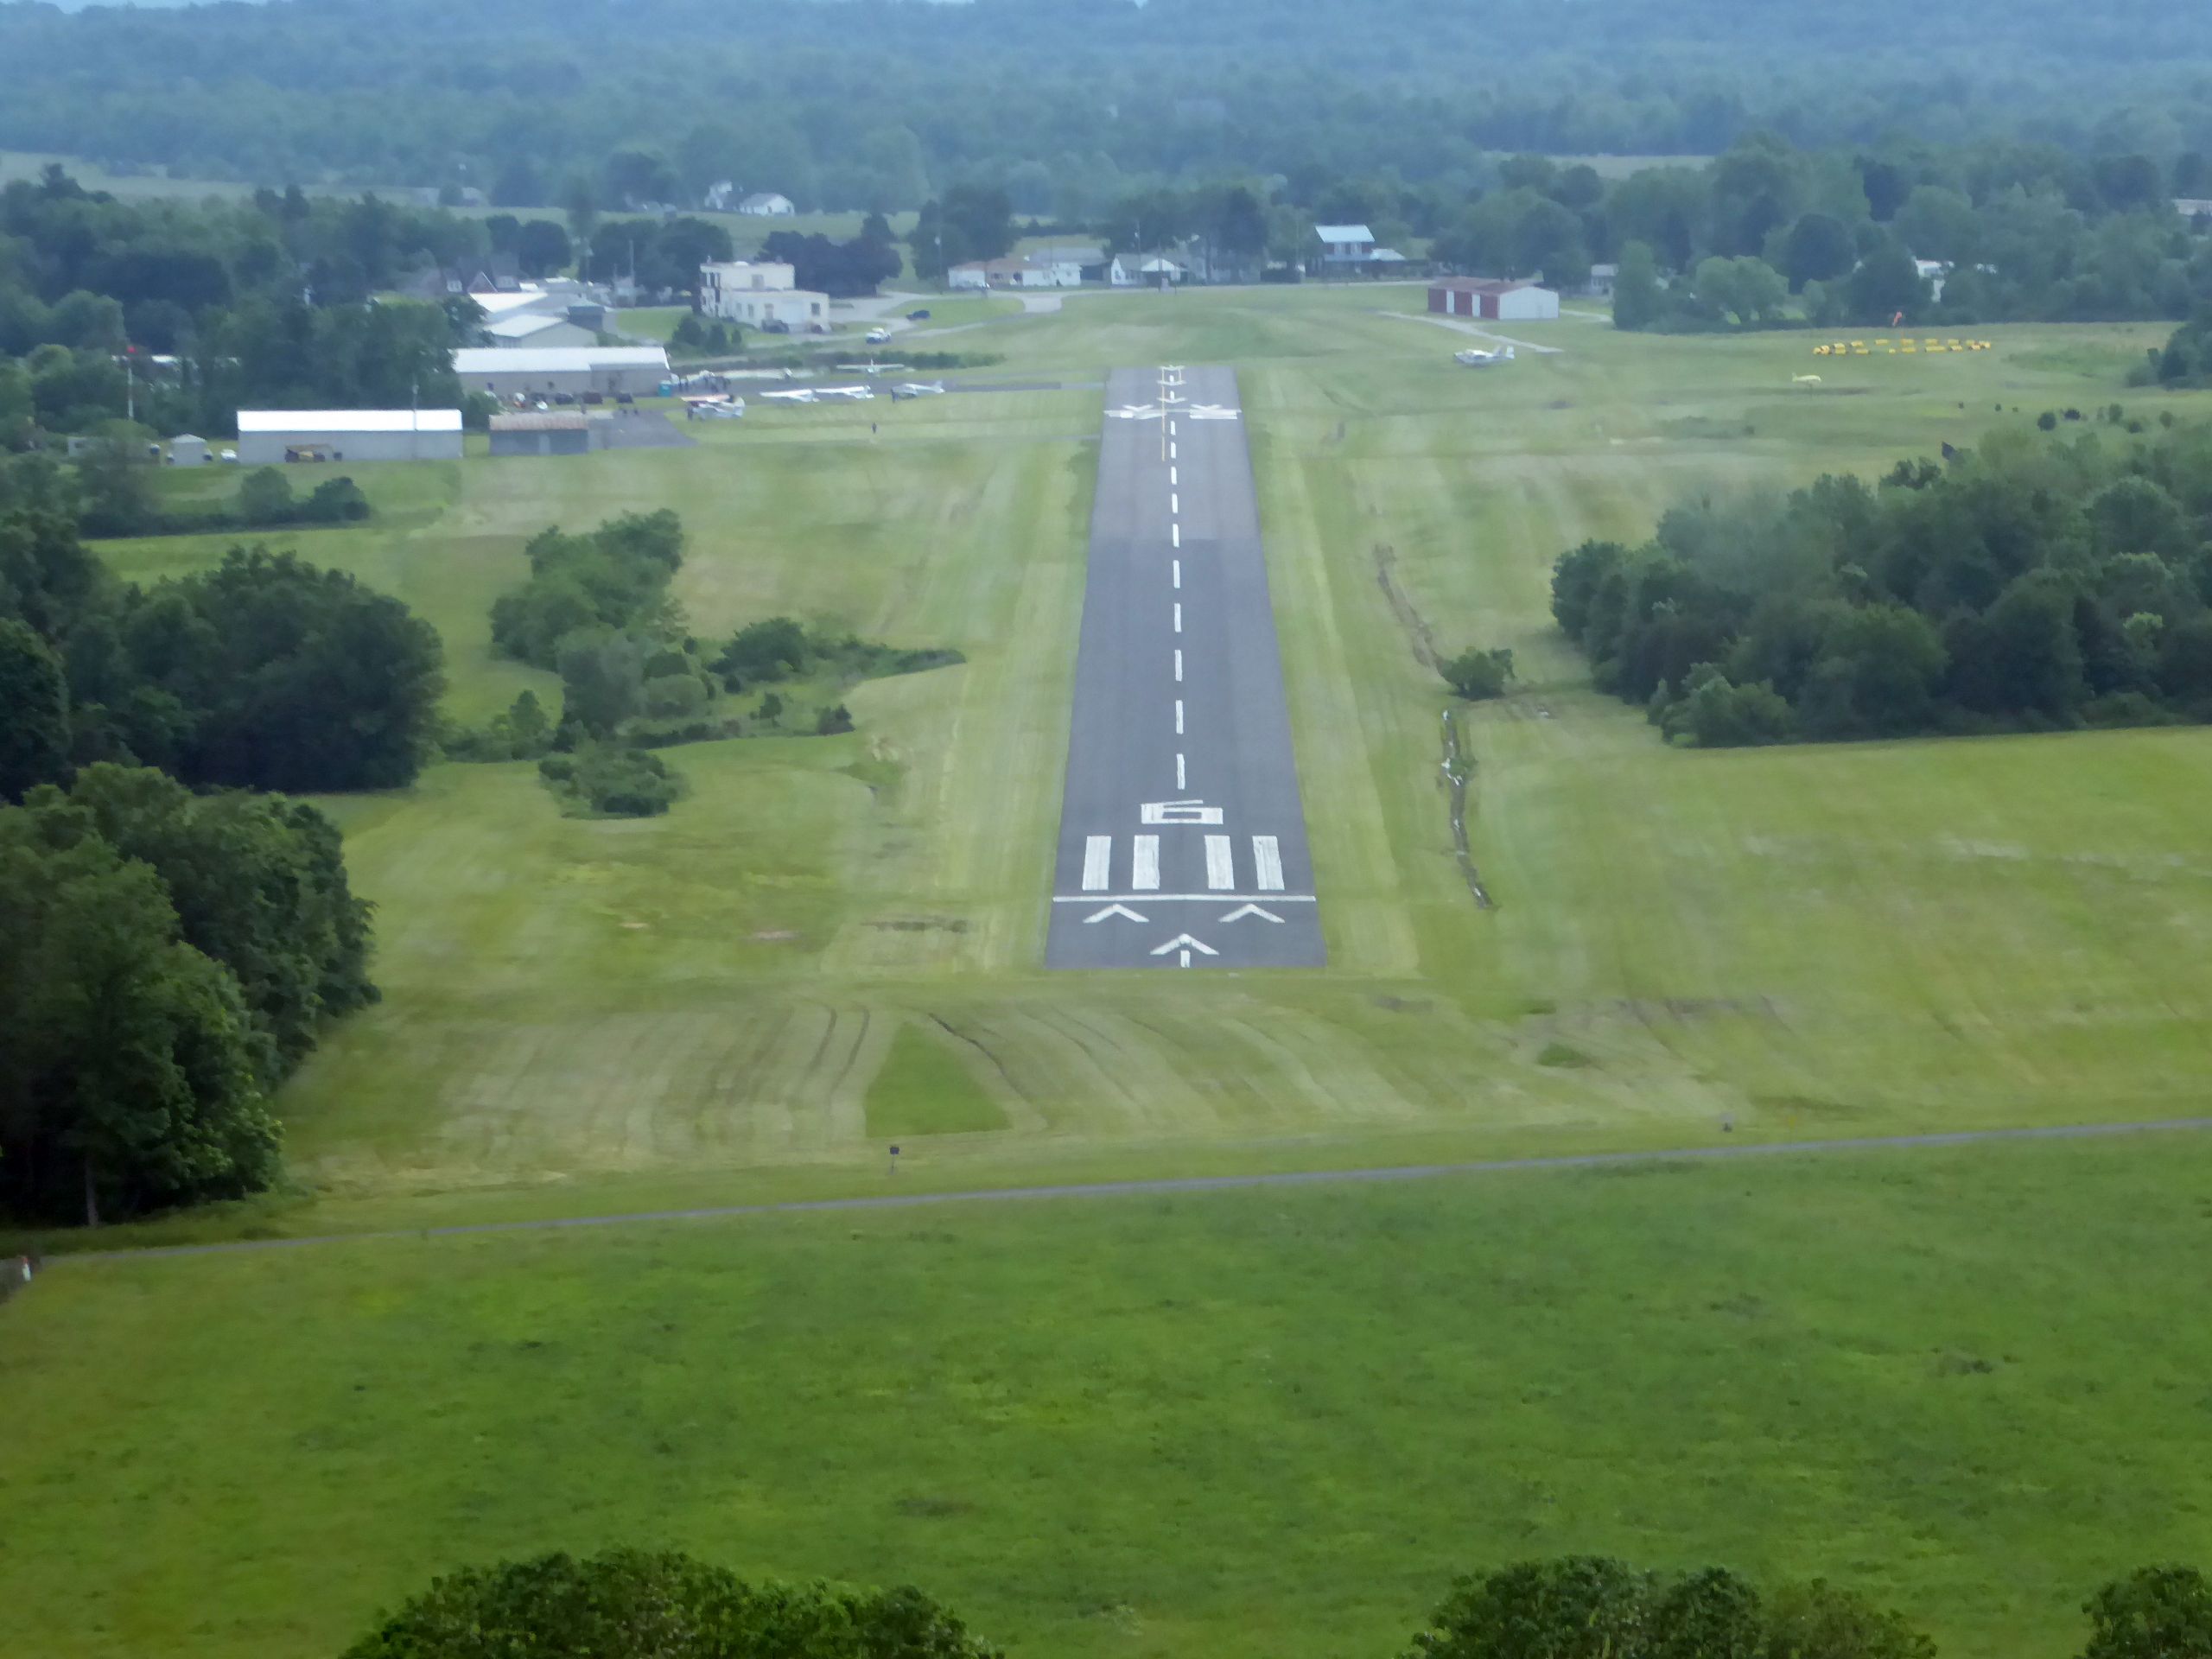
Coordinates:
<point>1182,842</point>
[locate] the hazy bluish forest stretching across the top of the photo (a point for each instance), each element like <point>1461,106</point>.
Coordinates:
<point>1063,103</point>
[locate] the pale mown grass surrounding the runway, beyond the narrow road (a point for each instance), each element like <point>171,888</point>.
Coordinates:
<point>592,1016</point>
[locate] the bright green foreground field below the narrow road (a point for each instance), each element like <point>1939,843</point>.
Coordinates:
<point>1251,1426</point>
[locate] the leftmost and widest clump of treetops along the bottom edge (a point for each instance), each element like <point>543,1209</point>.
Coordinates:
<point>627,1605</point>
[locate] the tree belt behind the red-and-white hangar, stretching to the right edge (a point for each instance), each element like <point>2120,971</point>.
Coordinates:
<point>2030,233</point>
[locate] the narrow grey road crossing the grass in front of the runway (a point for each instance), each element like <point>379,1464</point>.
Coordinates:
<point>1211,1185</point>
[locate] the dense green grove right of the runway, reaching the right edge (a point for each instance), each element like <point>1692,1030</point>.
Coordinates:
<point>2038,583</point>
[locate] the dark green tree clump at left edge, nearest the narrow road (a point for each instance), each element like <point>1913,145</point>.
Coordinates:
<point>165,963</point>
